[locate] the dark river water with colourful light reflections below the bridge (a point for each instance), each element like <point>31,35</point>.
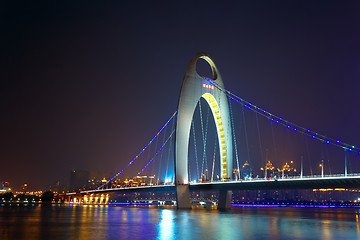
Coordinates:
<point>102,222</point>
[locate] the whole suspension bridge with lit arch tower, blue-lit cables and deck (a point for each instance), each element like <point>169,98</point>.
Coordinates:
<point>174,161</point>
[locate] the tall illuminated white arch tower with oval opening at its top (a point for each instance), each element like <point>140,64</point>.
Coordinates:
<point>195,87</point>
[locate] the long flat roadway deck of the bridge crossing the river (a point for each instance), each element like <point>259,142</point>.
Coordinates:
<point>314,182</point>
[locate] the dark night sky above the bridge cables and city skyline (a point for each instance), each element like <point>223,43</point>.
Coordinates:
<point>85,85</point>
